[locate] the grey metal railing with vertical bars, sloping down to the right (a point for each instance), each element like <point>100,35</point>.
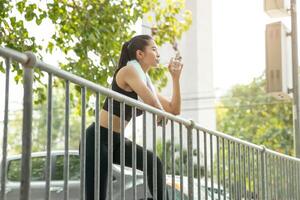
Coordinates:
<point>230,168</point>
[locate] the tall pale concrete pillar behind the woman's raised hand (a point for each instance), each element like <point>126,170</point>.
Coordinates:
<point>197,77</point>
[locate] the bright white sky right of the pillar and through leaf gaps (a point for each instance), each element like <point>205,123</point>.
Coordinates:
<point>238,45</point>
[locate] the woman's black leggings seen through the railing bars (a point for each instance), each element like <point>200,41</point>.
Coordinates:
<point>90,159</point>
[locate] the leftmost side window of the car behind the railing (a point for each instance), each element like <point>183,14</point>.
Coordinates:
<point>37,169</point>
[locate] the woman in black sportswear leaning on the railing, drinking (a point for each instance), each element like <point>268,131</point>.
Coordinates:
<point>137,57</point>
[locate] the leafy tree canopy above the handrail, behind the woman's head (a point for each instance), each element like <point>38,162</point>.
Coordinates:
<point>89,29</point>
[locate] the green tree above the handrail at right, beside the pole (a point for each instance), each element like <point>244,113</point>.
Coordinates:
<point>247,112</point>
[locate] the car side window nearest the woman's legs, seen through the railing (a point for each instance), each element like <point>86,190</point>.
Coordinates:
<point>74,168</point>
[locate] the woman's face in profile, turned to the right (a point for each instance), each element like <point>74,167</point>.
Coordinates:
<point>150,55</point>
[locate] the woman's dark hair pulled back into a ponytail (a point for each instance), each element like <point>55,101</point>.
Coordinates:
<point>129,48</point>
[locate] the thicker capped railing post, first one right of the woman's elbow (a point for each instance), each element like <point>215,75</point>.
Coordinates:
<point>190,160</point>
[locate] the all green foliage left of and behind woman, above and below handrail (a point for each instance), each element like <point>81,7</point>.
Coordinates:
<point>89,34</point>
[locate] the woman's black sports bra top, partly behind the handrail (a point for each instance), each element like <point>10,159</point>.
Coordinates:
<point>116,104</point>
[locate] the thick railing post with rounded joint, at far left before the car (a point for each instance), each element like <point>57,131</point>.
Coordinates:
<point>27,127</point>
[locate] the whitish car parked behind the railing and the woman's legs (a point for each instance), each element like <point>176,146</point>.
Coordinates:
<point>56,188</point>
